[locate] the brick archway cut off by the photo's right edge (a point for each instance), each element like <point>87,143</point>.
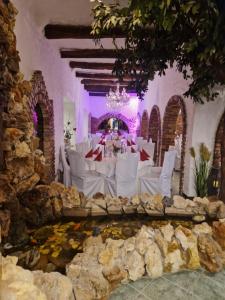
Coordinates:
<point>219,154</point>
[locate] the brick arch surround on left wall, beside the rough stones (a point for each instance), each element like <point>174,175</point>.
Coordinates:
<point>39,98</point>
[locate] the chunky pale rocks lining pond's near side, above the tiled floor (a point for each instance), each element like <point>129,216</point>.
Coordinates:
<point>102,266</point>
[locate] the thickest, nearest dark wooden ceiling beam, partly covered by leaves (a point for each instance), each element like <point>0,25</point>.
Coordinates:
<point>59,31</point>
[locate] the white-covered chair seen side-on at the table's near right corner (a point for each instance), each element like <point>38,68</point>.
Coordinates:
<point>159,184</point>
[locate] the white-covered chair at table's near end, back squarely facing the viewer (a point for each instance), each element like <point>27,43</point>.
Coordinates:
<point>124,182</point>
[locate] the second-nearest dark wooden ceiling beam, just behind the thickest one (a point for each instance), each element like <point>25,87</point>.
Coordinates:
<point>88,53</point>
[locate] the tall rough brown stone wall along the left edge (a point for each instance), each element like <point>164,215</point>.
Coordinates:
<point>22,164</point>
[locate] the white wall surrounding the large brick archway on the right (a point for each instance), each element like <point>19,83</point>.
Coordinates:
<point>202,120</point>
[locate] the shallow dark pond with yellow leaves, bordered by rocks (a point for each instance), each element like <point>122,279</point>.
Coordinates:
<point>53,246</point>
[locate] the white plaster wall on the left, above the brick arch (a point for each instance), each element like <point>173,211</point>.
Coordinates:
<point>37,53</point>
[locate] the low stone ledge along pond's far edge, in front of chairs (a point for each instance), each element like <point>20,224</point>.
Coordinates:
<point>152,205</point>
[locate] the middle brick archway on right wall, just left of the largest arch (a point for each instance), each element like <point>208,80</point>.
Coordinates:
<point>154,131</point>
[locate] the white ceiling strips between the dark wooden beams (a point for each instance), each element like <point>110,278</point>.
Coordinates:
<point>69,12</point>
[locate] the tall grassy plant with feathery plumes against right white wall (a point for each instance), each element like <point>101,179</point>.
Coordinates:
<point>202,169</point>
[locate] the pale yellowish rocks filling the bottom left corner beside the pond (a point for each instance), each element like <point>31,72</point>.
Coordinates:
<point>17,283</point>
